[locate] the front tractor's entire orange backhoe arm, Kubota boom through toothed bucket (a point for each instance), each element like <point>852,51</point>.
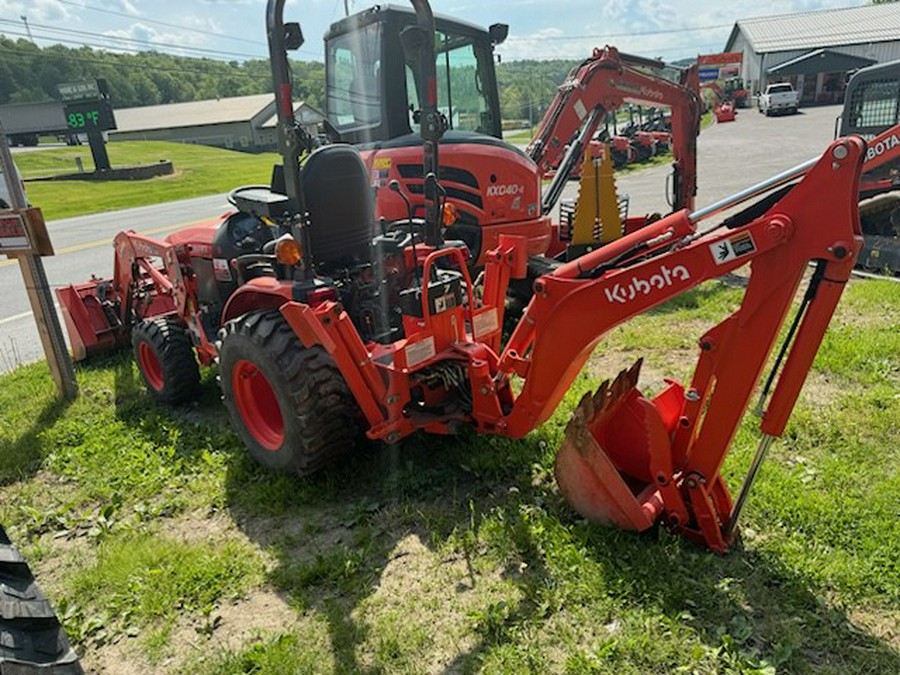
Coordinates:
<point>673,446</point>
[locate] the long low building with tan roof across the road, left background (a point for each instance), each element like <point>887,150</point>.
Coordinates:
<point>239,123</point>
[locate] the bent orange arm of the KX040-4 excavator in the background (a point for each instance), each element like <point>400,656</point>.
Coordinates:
<point>601,84</point>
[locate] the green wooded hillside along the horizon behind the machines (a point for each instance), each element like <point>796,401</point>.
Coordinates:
<point>29,73</point>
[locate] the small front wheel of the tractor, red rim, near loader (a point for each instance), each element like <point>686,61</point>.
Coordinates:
<point>165,357</point>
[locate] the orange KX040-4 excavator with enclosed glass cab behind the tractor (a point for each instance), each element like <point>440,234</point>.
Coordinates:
<point>372,101</point>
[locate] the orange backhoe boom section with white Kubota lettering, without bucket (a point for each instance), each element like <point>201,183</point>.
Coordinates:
<point>569,313</point>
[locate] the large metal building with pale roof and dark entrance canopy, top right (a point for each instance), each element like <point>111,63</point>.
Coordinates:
<point>815,50</point>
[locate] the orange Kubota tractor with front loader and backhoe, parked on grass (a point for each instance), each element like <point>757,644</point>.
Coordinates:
<point>330,332</point>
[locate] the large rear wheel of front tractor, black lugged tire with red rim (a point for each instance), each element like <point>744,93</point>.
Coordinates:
<point>289,404</point>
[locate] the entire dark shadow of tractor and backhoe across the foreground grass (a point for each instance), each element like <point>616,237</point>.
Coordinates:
<point>334,535</point>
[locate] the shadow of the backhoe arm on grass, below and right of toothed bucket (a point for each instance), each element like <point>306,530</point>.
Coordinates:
<point>745,606</point>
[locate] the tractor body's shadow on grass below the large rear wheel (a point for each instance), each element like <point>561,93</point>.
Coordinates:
<point>334,534</point>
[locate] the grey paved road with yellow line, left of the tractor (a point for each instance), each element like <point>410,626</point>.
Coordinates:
<point>83,247</point>
